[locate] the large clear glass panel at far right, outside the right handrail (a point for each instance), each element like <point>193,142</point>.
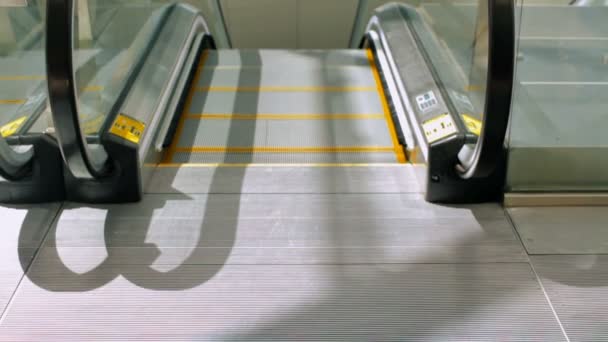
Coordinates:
<point>558,138</point>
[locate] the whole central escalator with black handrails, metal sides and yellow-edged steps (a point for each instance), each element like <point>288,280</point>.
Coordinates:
<point>396,99</point>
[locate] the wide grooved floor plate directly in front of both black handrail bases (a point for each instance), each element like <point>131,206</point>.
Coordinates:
<point>284,229</point>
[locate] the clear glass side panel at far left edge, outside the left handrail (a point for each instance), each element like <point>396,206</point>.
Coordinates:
<point>23,87</point>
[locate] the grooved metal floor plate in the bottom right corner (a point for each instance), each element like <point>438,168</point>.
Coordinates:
<point>578,288</point>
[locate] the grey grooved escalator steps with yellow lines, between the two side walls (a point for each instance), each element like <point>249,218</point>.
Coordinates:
<point>280,106</point>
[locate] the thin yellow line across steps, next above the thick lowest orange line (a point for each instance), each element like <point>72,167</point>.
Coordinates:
<point>285,116</point>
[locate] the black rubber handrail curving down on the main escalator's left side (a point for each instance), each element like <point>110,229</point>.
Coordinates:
<point>82,161</point>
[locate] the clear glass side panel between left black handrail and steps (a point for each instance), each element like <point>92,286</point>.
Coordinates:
<point>111,38</point>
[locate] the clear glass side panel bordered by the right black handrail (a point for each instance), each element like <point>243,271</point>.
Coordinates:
<point>455,36</point>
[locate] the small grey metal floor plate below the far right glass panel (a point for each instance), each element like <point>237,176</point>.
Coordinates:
<point>564,230</point>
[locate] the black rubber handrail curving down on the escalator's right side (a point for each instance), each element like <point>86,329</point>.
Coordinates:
<point>499,89</point>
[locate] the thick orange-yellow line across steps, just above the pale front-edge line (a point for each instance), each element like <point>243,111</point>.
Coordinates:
<point>271,149</point>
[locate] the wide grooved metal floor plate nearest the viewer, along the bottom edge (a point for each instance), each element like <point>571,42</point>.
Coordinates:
<point>474,302</point>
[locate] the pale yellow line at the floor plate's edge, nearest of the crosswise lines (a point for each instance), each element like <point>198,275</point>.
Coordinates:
<point>266,165</point>
